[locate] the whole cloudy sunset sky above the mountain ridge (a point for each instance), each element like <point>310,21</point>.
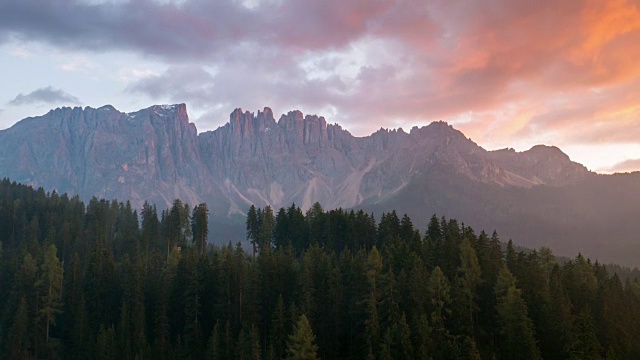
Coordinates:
<point>507,73</point>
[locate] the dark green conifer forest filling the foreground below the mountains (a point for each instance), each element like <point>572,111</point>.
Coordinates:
<point>104,281</point>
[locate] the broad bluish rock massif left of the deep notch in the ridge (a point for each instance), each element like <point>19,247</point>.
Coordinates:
<point>151,154</point>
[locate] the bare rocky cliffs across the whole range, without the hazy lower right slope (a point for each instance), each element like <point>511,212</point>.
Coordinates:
<point>156,154</point>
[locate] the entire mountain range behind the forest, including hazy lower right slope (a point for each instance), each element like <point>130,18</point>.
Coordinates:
<point>537,197</point>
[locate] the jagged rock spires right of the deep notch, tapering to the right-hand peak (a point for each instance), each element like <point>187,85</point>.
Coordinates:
<point>302,159</point>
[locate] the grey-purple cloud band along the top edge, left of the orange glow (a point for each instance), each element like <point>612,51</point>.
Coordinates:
<point>193,29</point>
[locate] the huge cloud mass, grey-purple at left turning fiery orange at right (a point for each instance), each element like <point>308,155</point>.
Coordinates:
<point>449,57</point>
